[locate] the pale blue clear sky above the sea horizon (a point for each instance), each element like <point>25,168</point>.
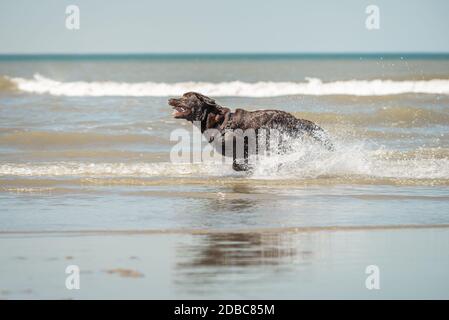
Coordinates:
<point>181,26</point>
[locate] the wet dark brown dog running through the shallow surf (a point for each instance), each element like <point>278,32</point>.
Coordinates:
<point>207,114</point>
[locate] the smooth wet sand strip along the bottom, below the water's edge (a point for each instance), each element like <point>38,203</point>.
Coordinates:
<point>273,264</point>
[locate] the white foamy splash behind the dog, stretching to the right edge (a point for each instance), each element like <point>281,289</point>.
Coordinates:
<point>310,161</point>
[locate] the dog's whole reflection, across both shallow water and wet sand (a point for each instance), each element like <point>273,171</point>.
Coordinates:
<point>222,258</point>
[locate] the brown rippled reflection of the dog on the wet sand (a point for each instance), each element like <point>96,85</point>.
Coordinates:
<point>216,258</point>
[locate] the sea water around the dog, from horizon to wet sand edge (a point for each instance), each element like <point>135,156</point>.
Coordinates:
<point>67,148</point>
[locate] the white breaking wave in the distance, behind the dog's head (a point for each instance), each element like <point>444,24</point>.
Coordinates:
<point>312,86</point>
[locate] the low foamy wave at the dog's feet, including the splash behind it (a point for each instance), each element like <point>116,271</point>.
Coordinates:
<point>310,161</point>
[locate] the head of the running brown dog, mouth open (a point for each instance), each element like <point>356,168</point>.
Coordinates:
<point>192,106</point>
